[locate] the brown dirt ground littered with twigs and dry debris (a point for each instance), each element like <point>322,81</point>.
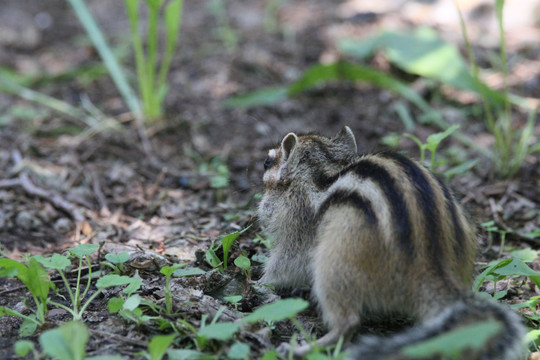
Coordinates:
<point>63,182</point>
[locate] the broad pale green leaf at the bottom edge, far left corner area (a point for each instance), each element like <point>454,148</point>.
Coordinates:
<point>67,342</point>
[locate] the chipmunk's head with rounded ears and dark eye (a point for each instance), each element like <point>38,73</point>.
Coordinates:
<point>305,156</point>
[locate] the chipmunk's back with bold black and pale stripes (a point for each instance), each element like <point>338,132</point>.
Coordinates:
<point>413,212</point>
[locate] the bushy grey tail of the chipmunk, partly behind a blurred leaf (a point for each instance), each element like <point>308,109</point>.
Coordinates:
<point>504,344</point>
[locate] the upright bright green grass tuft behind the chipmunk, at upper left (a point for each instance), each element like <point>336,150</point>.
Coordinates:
<point>153,80</point>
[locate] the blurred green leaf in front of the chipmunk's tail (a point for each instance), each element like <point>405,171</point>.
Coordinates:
<point>455,342</point>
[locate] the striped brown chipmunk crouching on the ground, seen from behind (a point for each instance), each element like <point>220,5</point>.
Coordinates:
<point>374,235</point>
